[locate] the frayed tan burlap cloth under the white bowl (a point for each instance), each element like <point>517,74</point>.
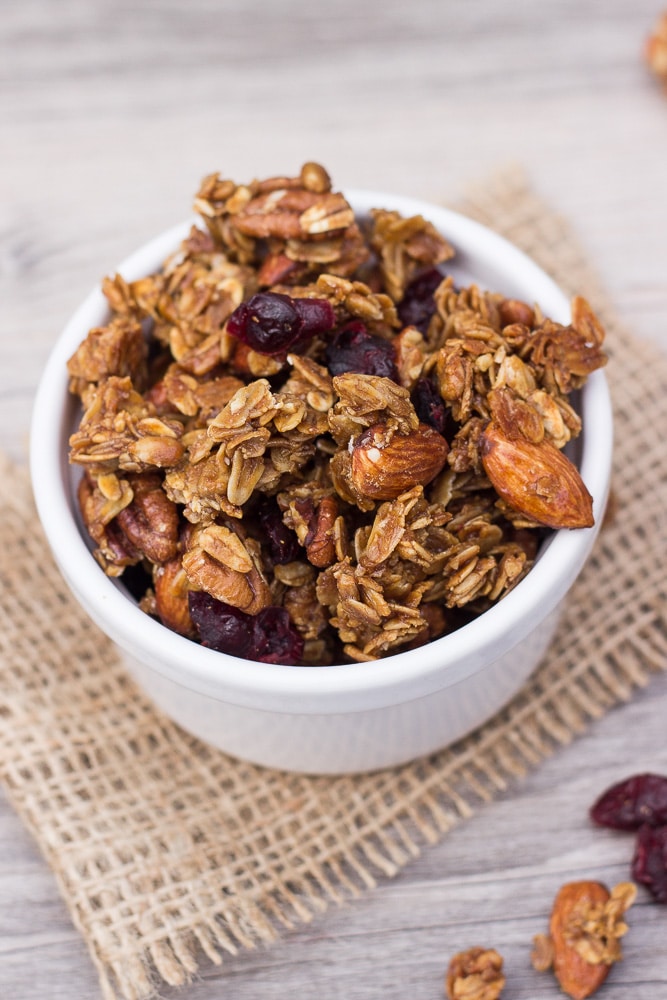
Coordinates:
<point>165,849</point>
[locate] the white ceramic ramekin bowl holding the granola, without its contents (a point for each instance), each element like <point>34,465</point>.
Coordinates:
<point>349,717</point>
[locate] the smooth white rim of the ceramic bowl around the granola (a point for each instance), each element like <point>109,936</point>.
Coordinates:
<point>338,688</point>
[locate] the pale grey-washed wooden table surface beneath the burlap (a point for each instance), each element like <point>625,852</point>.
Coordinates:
<point>111,113</point>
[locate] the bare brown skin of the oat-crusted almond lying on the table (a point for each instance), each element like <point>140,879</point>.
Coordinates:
<point>577,977</point>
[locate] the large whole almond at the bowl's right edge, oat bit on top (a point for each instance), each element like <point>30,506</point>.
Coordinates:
<point>537,480</point>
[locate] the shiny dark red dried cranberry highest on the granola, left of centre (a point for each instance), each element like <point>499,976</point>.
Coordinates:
<point>270,322</point>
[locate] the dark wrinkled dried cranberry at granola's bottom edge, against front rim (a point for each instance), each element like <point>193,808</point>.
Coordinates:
<point>269,636</point>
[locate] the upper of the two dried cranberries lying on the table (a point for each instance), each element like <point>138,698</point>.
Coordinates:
<point>630,803</point>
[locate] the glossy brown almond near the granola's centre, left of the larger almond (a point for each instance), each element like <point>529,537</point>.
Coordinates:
<point>384,466</point>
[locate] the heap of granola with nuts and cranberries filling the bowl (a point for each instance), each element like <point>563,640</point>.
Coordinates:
<point>302,443</point>
